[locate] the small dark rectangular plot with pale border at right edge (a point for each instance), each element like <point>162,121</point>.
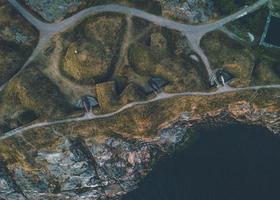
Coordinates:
<point>273,33</point>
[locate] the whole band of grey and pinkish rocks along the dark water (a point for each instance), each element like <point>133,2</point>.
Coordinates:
<point>108,167</point>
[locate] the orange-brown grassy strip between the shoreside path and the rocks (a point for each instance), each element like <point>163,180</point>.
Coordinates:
<point>148,119</point>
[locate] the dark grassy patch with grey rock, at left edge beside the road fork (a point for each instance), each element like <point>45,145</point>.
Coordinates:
<point>17,40</point>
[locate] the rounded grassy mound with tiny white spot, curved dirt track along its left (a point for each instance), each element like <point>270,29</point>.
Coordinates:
<point>93,49</point>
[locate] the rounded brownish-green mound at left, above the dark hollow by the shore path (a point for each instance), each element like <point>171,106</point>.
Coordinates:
<point>34,91</point>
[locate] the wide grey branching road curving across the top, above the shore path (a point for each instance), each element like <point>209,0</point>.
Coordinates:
<point>194,33</point>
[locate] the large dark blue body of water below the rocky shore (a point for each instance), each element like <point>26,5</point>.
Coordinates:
<point>236,162</point>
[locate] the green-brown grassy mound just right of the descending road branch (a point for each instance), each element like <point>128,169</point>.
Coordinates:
<point>226,53</point>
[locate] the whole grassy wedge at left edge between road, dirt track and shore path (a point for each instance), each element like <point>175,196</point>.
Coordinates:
<point>29,97</point>
